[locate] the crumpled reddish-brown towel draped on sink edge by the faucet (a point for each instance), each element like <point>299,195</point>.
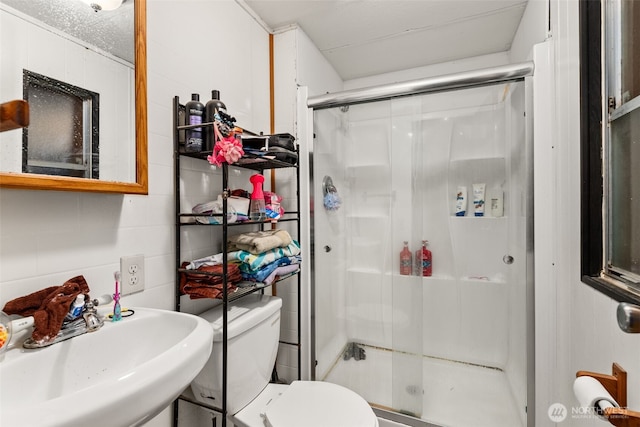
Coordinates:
<point>48,307</point>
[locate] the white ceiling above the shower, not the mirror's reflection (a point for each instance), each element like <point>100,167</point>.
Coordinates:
<point>368,37</point>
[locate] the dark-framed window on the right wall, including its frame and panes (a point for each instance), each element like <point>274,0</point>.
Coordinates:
<point>610,111</point>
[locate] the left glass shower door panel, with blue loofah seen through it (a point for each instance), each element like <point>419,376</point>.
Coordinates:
<point>373,308</point>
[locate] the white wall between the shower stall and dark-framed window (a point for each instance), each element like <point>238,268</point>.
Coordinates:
<point>575,325</point>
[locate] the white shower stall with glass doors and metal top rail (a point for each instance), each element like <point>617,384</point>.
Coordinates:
<point>386,166</point>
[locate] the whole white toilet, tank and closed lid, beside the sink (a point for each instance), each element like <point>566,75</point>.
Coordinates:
<point>253,330</point>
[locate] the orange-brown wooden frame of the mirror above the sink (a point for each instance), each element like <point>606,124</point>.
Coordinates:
<point>139,178</point>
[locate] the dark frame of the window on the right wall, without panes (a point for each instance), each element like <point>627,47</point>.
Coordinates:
<point>593,145</point>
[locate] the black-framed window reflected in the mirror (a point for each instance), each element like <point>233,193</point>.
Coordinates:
<point>62,138</point>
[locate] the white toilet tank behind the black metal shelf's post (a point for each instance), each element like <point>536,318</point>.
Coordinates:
<point>253,331</point>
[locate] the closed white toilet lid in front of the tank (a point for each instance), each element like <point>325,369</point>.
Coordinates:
<point>319,404</point>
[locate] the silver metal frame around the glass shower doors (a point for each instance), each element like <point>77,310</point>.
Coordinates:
<point>468,79</point>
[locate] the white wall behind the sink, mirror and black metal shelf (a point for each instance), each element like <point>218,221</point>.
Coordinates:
<point>46,237</point>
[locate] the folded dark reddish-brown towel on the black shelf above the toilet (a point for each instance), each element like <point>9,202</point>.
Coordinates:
<point>208,286</point>
